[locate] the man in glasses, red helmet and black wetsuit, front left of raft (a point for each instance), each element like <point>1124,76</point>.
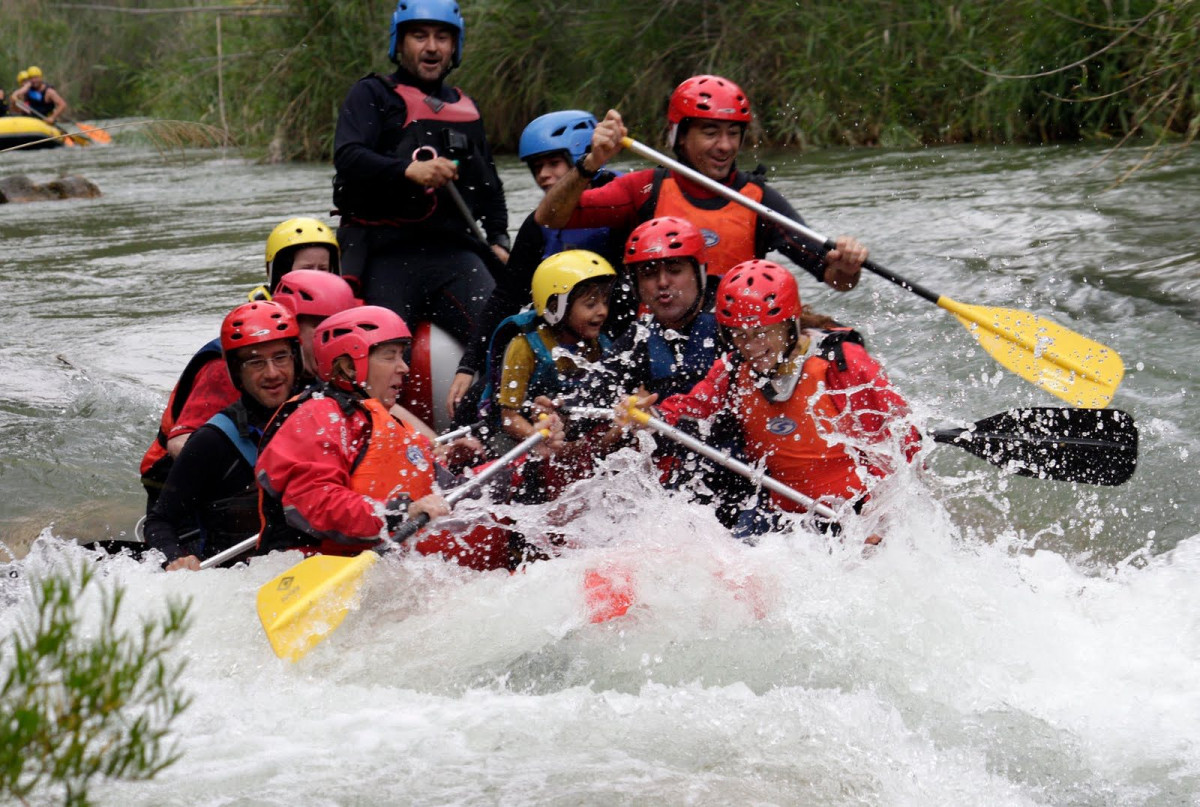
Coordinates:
<point>209,501</point>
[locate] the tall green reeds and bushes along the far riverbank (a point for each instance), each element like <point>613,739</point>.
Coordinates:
<point>865,73</point>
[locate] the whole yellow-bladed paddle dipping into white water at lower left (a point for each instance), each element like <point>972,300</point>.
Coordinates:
<point>307,603</point>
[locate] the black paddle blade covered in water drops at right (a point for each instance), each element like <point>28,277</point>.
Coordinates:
<point>1097,447</point>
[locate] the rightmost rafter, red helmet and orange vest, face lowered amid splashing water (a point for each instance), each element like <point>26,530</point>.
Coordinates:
<point>812,405</point>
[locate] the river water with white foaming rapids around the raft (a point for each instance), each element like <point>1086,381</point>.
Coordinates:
<point>1016,642</point>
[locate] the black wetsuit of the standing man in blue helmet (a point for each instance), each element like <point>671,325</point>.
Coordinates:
<point>412,250</point>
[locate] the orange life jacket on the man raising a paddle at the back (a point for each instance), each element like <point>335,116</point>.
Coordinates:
<point>729,231</point>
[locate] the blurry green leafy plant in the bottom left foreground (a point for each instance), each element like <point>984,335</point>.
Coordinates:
<point>83,701</point>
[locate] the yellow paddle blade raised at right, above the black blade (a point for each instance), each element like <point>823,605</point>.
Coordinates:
<point>1078,370</point>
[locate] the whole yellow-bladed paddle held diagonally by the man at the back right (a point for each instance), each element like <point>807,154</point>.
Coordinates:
<point>1073,368</point>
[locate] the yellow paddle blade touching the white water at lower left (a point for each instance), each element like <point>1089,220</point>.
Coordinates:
<point>303,606</point>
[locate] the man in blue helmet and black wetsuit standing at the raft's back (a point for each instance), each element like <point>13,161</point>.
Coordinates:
<point>407,146</point>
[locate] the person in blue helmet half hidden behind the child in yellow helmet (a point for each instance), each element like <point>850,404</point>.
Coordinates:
<point>550,146</point>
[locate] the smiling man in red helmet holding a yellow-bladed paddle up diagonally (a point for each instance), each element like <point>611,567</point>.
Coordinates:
<point>709,118</point>
